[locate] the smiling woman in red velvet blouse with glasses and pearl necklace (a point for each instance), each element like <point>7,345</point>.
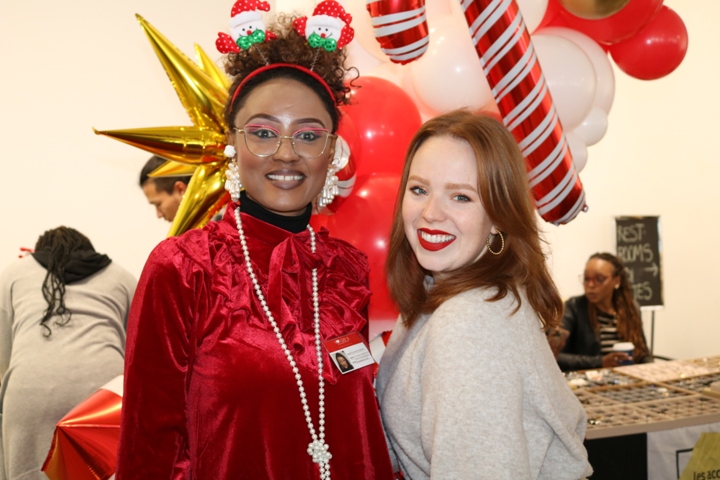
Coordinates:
<point>225,338</point>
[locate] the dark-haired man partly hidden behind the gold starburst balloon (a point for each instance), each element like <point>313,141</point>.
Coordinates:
<point>164,193</point>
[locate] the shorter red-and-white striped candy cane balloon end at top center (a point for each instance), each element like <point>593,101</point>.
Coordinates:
<point>400,27</point>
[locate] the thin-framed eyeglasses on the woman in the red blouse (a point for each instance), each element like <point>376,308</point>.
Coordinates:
<point>264,141</point>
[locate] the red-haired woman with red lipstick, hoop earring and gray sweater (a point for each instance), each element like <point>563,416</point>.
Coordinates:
<point>468,387</point>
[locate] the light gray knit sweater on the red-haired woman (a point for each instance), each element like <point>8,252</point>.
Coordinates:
<point>474,392</point>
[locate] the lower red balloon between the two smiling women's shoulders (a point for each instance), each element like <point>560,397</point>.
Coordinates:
<point>364,220</point>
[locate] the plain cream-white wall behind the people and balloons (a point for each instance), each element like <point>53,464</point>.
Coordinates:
<point>69,66</point>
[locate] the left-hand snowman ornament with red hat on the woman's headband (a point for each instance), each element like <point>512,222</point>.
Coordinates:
<point>246,27</point>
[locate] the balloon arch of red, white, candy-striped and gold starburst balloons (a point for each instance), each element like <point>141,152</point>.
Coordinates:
<point>542,65</point>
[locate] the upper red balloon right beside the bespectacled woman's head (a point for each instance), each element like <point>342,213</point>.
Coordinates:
<point>386,119</point>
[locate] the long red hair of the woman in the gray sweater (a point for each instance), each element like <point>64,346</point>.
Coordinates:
<point>505,195</point>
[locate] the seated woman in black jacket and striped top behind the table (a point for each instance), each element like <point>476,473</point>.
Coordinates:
<point>604,315</point>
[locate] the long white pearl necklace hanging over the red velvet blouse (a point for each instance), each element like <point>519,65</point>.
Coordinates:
<point>317,449</point>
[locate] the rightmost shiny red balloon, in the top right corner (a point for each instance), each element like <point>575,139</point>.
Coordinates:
<point>656,50</point>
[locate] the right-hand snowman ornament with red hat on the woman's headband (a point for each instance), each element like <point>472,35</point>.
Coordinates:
<point>328,27</point>
